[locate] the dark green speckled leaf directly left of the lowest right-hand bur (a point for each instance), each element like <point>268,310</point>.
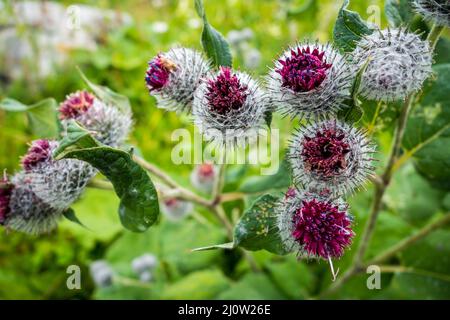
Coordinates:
<point>257,229</point>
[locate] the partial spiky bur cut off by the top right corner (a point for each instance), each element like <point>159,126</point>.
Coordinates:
<point>436,11</point>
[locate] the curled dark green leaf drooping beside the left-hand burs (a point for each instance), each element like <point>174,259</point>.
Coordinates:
<point>139,207</point>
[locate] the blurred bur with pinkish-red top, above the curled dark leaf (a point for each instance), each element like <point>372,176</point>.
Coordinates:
<point>108,123</point>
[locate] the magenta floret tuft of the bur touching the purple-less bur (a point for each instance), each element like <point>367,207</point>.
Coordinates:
<point>304,70</point>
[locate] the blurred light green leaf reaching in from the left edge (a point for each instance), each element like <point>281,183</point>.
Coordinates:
<point>42,116</point>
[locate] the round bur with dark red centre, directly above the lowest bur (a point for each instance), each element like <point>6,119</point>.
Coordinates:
<point>332,156</point>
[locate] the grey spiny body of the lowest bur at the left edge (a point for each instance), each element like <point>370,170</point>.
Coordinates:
<point>27,212</point>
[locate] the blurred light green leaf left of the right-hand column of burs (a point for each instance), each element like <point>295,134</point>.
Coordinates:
<point>280,180</point>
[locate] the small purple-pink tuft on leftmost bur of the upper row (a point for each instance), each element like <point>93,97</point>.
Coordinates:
<point>158,72</point>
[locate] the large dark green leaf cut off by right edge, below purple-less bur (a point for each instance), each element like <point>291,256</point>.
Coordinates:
<point>427,135</point>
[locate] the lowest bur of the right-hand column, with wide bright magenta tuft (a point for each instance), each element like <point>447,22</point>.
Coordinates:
<point>313,225</point>
